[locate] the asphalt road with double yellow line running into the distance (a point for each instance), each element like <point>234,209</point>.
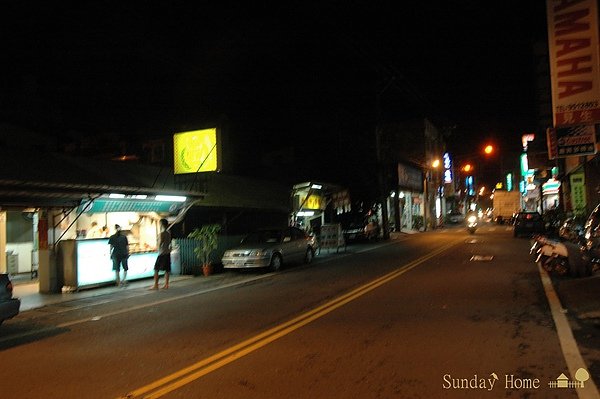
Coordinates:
<point>413,318</point>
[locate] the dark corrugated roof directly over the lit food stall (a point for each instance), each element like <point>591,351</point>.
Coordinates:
<point>40,178</point>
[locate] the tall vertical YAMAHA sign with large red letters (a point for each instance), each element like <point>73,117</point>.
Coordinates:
<point>574,61</point>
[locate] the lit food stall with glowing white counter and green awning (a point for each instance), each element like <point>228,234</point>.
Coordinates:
<point>84,253</point>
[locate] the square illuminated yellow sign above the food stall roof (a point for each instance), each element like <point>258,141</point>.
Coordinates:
<point>195,151</point>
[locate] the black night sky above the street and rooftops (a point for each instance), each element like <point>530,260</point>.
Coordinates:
<point>296,79</point>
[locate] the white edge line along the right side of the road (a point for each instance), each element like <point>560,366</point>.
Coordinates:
<point>565,336</point>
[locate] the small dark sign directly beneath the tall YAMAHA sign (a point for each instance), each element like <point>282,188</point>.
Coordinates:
<point>571,141</point>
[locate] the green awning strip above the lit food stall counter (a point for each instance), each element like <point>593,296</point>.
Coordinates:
<point>104,205</point>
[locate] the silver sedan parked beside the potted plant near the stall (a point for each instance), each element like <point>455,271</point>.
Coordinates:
<point>271,248</point>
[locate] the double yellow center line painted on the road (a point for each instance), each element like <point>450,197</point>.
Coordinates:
<point>197,370</point>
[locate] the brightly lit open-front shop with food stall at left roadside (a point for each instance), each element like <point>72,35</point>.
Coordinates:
<point>60,241</point>
